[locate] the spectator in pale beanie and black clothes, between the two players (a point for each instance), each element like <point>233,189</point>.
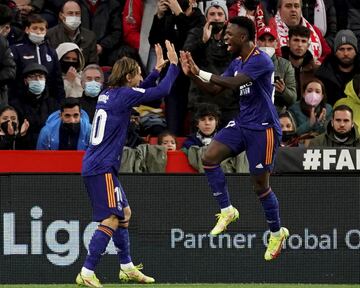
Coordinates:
<point>209,50</point>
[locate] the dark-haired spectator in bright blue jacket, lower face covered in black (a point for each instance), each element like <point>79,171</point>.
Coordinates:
<point>66,129</point>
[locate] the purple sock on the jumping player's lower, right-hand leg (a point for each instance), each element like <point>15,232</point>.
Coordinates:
<point>271,209</point>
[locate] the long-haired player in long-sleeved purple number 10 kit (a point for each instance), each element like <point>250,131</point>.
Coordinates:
<point>103,157</point>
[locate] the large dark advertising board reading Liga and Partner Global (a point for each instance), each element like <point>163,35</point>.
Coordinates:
<point>45,224</point>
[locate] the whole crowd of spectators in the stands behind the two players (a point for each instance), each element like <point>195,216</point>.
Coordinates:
<point>56,57</point>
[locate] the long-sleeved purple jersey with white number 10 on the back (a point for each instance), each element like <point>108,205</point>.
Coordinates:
<point>111,121</point>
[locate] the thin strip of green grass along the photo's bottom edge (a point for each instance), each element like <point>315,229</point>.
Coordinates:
<point>188,286</point>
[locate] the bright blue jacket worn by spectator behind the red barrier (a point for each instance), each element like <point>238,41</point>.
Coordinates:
<point>49,134</point>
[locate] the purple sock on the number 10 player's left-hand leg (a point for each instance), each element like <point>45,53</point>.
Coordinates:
<point>97,246</point>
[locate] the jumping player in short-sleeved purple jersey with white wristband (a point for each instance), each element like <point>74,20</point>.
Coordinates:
<point>255,130</point>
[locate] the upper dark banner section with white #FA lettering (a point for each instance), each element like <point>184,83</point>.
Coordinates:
<point>325,160</point>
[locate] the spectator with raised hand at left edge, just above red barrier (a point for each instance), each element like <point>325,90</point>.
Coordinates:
<point>12,135</point>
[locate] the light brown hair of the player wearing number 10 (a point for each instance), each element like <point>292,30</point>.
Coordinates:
<point>121,68</point>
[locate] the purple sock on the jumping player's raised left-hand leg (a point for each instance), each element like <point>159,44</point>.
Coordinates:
<point>218,186</point>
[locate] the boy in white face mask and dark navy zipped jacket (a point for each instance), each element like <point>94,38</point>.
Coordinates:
<point>35,49</point>
